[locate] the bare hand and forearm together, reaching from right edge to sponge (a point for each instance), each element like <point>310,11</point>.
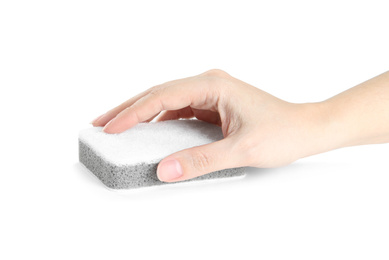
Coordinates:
<point>259,130</point>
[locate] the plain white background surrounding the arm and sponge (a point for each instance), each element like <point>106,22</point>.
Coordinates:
<point>62,63</point>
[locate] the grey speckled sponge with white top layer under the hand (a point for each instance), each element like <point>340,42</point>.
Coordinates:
<point>129,159</point>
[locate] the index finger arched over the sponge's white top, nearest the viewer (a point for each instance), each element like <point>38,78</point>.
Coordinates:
<point>194,93</point>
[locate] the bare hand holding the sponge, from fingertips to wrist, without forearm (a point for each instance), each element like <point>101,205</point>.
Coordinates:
<point>259,129</point>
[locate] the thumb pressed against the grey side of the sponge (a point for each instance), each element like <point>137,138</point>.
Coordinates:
<point>196,161</point>
